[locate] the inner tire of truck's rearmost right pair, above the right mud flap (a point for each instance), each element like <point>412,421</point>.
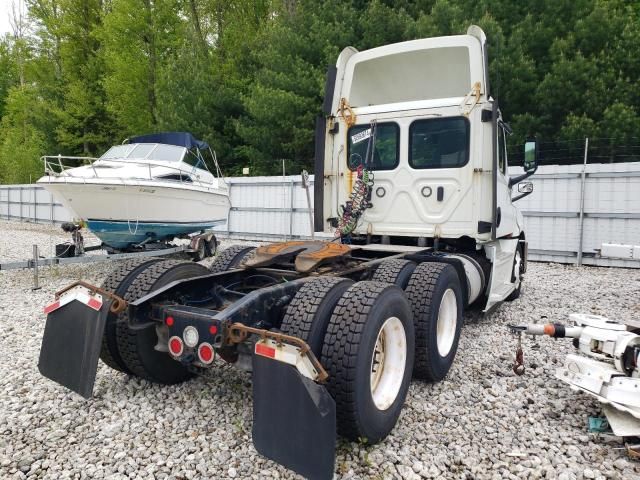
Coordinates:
<point>308,314</point>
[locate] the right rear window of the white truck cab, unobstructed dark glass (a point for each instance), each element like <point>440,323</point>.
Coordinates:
<point>439,143</point>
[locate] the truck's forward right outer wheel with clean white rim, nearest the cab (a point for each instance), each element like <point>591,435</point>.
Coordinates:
<point>436,299</point>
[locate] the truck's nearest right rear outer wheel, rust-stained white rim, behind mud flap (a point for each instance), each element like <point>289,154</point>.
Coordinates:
<point>368,352</point>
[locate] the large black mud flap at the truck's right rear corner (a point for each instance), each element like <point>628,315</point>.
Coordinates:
<point>294,419</point>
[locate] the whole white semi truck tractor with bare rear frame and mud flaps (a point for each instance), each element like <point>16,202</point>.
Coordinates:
<point>416,211</point>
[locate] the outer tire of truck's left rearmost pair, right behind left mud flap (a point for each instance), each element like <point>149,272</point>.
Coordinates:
<point>118,282</point>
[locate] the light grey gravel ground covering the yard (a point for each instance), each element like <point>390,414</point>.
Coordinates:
<point>481,422</point>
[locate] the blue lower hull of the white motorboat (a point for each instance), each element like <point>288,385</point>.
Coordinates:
<point>122,234</point>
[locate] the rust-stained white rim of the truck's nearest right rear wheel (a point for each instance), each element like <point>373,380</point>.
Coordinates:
<point>388,363</point>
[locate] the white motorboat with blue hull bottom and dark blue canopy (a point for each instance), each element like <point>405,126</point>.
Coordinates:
<point>151,188</point>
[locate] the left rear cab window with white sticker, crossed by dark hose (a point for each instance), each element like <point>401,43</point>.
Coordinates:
<point>386,153</point>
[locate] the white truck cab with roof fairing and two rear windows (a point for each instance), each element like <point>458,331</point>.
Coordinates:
<point>418,117</point>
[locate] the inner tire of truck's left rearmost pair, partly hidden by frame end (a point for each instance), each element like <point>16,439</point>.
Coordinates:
<point>136,347</point>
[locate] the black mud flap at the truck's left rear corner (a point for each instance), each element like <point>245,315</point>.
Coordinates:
<point>71,346</point>
